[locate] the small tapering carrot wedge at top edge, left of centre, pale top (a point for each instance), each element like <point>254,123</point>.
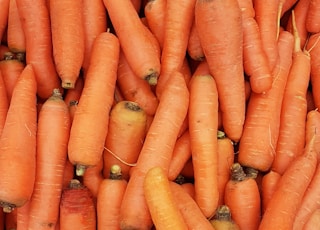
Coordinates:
<point>155,12</point>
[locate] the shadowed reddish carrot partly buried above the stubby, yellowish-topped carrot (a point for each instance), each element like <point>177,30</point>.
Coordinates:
<point>134,88</point>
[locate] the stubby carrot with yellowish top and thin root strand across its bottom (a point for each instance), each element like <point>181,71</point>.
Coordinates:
<point>126,133</point>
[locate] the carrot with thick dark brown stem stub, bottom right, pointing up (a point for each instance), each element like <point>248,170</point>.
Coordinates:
<point>243,198</point>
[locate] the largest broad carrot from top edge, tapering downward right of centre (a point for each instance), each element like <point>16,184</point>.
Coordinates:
<point>223,53</point>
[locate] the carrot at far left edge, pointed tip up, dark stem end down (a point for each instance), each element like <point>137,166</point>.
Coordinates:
<point>18,144</point>
